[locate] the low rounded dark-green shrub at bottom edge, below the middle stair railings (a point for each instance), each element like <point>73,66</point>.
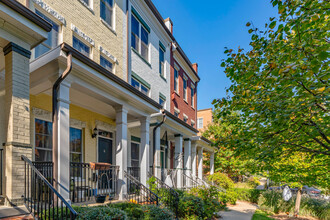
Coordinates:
<point>152,212</point>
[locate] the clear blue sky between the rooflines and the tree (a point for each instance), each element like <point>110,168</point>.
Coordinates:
<point>204,28</point>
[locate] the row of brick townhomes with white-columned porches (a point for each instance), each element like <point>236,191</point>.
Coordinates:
<point>95,96</point>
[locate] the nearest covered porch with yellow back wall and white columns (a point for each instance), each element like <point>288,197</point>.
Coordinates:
<point>95,110</point>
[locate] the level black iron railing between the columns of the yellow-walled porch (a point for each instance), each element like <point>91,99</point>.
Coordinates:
<point>87,183</point>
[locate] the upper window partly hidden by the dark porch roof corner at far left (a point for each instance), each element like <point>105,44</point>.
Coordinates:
<point>52,38</point>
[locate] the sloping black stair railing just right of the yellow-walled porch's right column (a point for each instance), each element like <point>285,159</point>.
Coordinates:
<point>138,193</point>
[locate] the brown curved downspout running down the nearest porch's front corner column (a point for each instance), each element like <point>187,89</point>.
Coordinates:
<point>54,114</point>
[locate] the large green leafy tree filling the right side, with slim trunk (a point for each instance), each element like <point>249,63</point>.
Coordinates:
<point>280,87</point>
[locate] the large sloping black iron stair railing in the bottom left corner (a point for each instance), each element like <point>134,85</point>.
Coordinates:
<point>41,198</point>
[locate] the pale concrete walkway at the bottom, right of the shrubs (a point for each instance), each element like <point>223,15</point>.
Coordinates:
<point>241,211</point>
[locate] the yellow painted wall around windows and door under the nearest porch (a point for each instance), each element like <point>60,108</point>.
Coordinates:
<point>43,101</point>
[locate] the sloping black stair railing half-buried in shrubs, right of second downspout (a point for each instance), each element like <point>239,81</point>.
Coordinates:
<point>168,196</point>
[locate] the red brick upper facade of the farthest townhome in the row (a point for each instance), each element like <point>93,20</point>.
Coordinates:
<point>177,100</point>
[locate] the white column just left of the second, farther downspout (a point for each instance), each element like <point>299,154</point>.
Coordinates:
<point>144,149</point>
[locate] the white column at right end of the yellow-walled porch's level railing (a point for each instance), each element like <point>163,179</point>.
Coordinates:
<point>121,149</point>
